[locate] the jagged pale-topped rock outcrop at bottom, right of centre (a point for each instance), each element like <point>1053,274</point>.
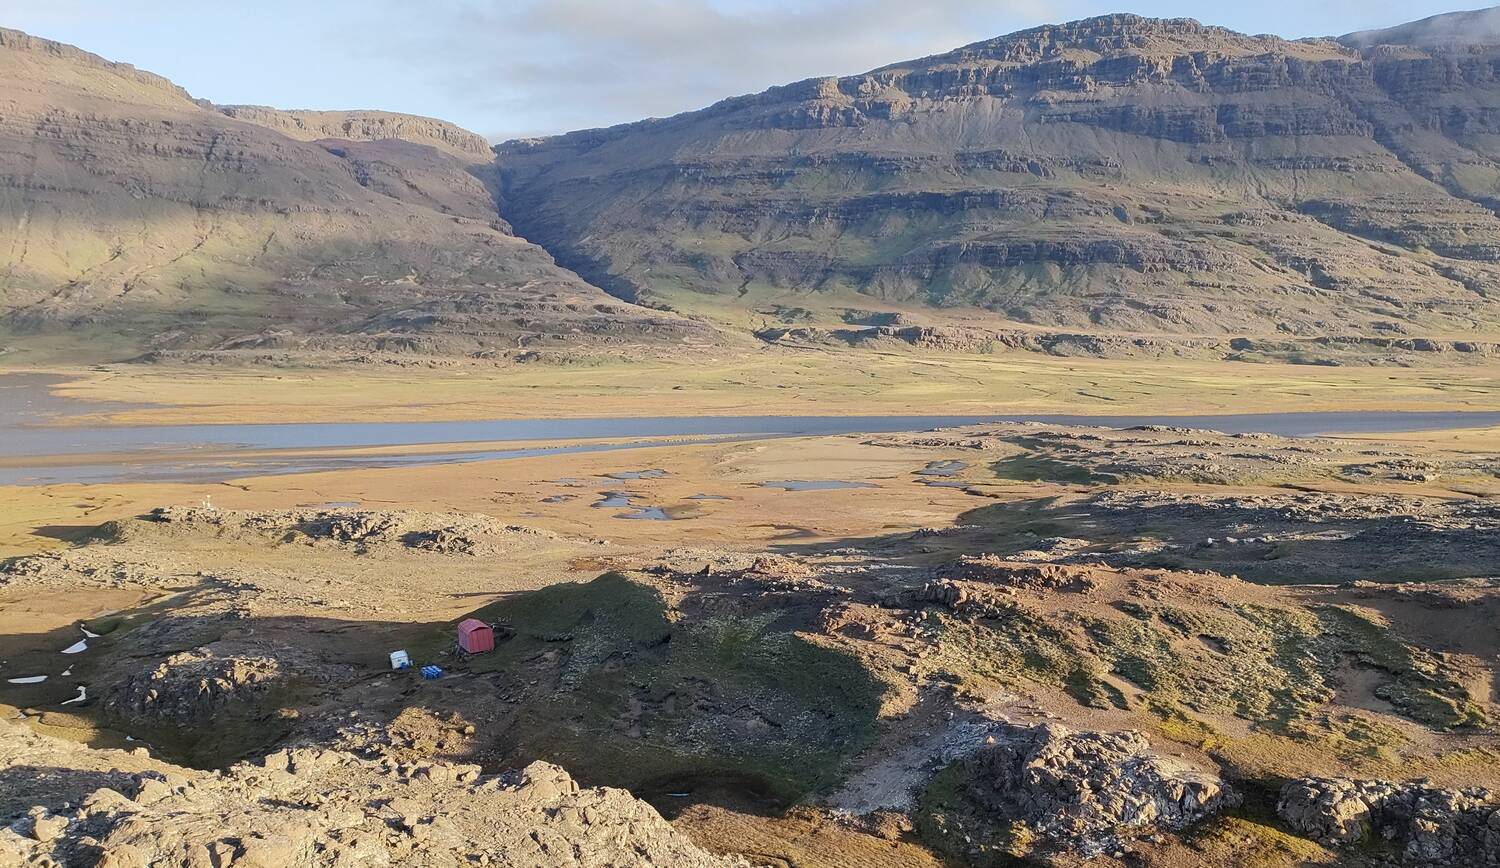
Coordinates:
<point>1079,791</point>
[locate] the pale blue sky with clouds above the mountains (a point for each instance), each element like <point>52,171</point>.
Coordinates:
<point>517,68</point>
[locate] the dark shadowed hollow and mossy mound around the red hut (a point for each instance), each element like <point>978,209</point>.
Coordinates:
<point>596,677</point>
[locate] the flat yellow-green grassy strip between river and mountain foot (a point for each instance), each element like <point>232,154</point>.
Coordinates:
<point>772,382</point>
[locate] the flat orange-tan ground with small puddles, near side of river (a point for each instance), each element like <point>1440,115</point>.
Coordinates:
<point>35,518</point>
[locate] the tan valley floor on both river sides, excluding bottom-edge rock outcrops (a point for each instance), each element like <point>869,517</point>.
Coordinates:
<point>800,674</point>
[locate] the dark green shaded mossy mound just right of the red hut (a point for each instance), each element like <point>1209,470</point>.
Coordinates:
<point>650,701</point>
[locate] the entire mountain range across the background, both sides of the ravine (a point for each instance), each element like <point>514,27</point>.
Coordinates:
<point>1117,182</point>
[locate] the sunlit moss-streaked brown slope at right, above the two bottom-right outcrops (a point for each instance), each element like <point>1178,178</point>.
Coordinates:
<point>1273,666</point>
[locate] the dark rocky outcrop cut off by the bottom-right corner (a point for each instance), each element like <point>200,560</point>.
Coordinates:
<point>1426,825</point>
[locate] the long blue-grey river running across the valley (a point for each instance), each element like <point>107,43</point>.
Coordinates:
<point>38,446</point>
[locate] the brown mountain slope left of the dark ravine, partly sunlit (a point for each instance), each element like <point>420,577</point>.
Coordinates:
<point>136,218</point>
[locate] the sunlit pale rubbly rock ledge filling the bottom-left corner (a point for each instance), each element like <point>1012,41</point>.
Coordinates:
<point>302,809</point>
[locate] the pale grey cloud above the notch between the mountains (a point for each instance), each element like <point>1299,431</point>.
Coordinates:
<point>539,67</point>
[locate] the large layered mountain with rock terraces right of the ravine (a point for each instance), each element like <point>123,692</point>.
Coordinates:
<point>1114,176</point>
